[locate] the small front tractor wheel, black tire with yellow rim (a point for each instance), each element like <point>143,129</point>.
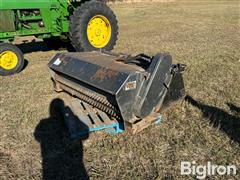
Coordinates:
<point>11,59</point>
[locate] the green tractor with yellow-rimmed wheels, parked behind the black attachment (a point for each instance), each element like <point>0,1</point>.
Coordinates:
<point>88,25</point>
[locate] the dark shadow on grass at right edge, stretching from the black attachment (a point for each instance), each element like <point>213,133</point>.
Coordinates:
<point>229,124</point>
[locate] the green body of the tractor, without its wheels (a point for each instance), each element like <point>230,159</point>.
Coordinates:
<point>43,18</point>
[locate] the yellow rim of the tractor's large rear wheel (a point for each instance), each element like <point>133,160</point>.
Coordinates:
<point>99,31</point>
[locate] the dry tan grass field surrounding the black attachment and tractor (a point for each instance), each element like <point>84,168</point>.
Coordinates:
<point>204,35</point>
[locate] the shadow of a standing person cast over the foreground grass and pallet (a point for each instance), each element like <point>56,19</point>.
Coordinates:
<point>61,157</point>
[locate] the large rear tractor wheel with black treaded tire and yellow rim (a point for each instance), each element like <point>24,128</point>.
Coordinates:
<point>93,26</point>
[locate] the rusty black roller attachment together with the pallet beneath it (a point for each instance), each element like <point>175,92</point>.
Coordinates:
<point>117,91</point>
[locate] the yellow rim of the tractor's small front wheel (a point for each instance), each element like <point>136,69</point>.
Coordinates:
<point>8,60</point>
